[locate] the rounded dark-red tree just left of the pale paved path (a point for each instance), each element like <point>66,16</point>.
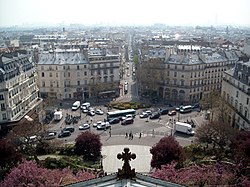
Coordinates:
<point>89,145</point>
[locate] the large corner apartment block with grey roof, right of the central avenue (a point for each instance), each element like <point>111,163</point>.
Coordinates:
<point>185,74</point>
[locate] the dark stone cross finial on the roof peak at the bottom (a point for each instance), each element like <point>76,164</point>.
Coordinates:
<point>126,171</point>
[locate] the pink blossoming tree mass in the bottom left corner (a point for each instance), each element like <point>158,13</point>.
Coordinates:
<point>28,173</point>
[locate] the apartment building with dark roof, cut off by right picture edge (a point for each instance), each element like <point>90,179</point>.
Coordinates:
<point>236,92</point>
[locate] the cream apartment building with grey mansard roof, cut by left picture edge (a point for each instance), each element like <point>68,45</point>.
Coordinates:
<point>18,86</point>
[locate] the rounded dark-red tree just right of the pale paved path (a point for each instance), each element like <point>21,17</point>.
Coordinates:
<point>165,151</point>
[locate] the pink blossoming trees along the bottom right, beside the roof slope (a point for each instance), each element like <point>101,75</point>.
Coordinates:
<point>201,175</point>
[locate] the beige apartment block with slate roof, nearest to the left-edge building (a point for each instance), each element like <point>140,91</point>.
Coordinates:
<point>63,74</point>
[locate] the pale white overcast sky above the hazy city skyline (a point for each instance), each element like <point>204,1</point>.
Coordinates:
<point>143,12</point>
